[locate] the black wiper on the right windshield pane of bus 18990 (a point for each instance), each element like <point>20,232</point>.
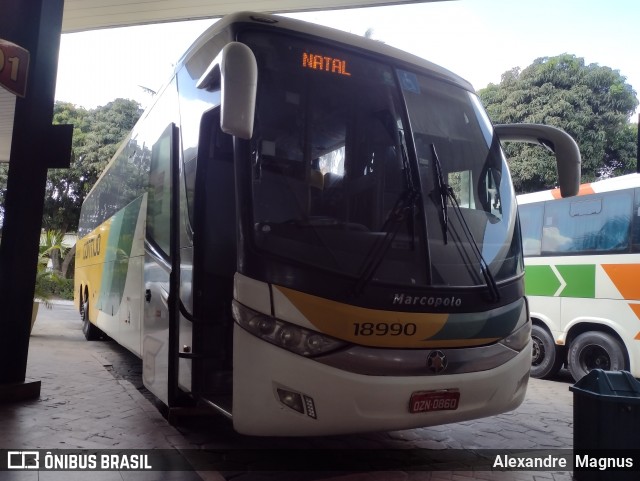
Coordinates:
<point>445,193</point>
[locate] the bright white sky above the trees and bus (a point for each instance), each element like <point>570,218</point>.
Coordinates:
<point>477,39</point>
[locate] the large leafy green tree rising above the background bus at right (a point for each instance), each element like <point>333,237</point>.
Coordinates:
<point>592,103</point>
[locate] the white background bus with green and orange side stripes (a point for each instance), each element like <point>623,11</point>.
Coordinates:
<point>582,280</point>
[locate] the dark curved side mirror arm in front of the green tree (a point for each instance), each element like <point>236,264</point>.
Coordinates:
<point>558,141</point>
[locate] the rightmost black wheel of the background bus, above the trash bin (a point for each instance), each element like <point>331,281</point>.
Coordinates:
<point>595,350</point>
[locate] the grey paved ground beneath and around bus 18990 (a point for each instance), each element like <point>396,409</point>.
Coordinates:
<point>92,398</point>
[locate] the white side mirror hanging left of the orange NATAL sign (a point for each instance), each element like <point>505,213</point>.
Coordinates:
<point>235,72</point>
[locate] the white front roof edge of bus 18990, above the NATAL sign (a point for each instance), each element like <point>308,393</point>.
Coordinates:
<point>333,35</point>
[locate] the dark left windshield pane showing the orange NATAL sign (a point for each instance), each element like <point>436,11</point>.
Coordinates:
<point>329,168</point>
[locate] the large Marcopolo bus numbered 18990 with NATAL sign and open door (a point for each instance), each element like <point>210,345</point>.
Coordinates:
<point>314,233</point>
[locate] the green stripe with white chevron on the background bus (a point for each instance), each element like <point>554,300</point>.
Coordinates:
<point>563,281</point>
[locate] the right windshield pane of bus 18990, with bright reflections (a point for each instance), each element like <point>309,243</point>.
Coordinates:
<point>456,150</point>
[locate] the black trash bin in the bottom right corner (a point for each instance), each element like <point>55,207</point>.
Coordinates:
<point>606,426</point>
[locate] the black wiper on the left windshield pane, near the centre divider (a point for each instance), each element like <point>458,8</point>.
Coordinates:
<point>402,210</point>
